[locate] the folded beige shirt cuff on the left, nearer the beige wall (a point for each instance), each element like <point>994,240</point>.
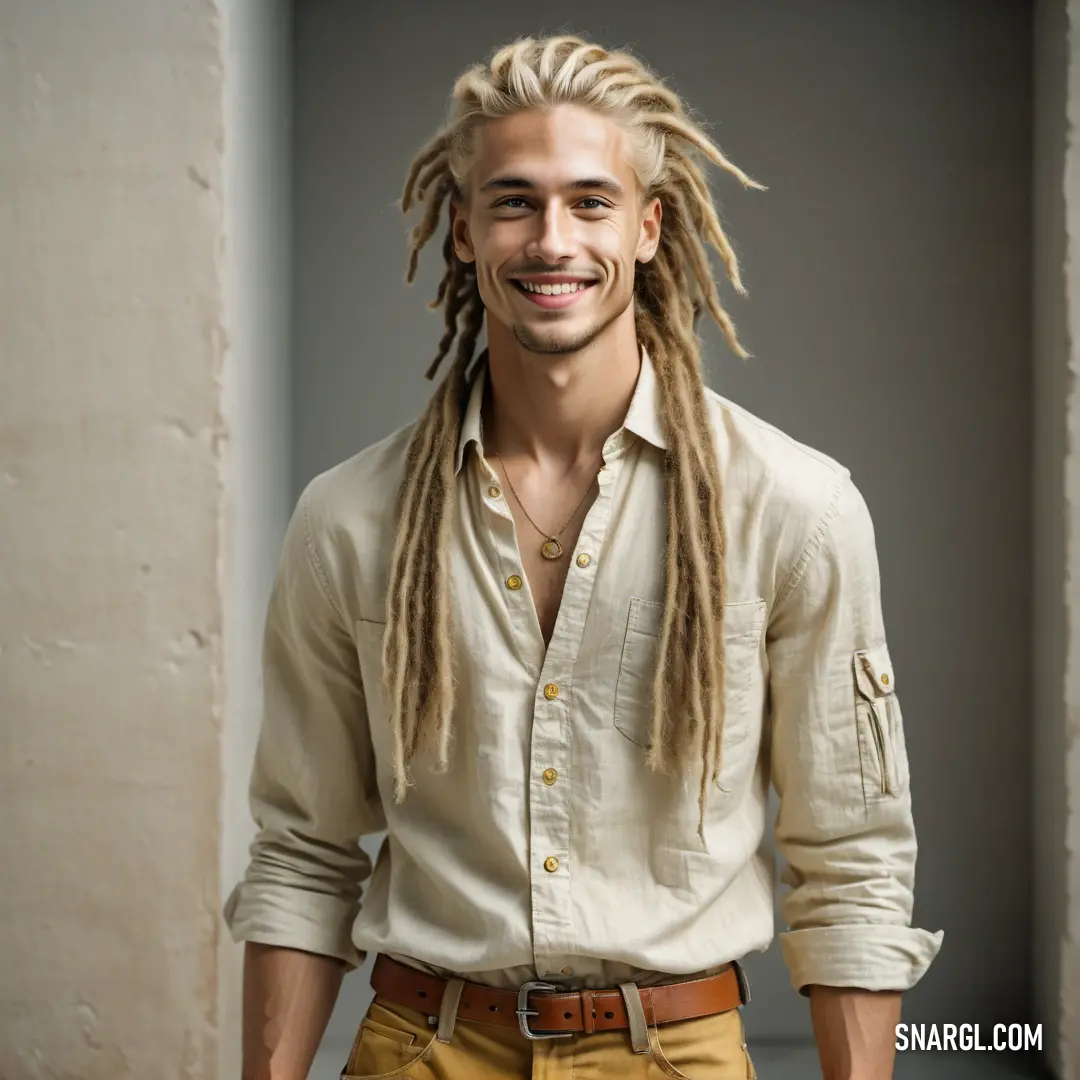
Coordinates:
<point>291,919</point>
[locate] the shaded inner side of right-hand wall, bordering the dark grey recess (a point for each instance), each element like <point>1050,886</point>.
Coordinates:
<point>1056,45</point>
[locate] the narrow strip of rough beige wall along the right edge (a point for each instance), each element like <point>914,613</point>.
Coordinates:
<point>1058,534</point>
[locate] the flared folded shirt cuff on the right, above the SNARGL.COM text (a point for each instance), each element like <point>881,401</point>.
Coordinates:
<point>865,956</point>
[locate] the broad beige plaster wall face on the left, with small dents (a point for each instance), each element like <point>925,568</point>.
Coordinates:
<point>111,502</point>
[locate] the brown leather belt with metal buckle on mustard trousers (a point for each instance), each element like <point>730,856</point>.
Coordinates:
<point>538,1011</point>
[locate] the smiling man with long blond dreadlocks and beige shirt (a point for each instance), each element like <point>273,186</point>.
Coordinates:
<point>558,638</point>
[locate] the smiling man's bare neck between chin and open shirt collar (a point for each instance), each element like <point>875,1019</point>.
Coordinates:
<point>559,410</point>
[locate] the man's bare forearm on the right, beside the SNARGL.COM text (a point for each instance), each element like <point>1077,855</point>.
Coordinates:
<point>856,1032</point>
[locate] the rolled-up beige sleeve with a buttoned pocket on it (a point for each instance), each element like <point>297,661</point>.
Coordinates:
<point>840,766</point>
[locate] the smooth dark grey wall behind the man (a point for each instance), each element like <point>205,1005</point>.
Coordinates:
<point>890,307</point>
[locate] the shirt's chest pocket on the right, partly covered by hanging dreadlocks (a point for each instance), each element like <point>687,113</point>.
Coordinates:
<point>744,626</point>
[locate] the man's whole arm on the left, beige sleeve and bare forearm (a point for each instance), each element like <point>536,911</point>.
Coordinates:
<point>314,796</point>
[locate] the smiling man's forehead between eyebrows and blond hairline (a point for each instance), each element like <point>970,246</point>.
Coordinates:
<point>551,147</point>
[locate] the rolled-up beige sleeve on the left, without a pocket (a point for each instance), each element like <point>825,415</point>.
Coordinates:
<point>314,793</point>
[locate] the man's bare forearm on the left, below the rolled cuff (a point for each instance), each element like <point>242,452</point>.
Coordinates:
<point>289,998</point>
